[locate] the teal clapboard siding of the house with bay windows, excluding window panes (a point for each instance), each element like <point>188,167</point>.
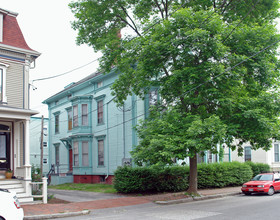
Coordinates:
<point>117,129</point>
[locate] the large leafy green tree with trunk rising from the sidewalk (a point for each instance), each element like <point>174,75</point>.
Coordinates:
<point>214,62</point>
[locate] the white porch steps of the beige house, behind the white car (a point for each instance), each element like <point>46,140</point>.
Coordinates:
<point>16,186</point>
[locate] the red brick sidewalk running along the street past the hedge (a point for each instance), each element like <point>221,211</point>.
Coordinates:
<point>47,211</point>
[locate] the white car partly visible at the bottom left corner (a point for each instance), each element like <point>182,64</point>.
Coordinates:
<point>9,206</point>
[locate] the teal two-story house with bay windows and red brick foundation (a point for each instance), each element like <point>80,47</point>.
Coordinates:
<point>89,136</point>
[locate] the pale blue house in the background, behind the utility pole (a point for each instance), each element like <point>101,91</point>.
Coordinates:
<point>35,143</point>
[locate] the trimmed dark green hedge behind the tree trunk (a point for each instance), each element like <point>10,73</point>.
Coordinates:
<point>175,178</point>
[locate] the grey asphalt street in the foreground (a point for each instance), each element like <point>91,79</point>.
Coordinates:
<point>255,207</point>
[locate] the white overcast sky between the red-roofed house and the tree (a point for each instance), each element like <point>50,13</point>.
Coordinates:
<point>47,29</point>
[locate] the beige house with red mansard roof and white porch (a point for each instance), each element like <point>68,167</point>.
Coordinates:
<point>16,59</point>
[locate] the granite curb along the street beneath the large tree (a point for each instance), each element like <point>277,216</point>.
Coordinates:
<point>190,199</point>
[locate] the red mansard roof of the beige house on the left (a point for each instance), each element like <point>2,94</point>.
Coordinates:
<point>12,35</point>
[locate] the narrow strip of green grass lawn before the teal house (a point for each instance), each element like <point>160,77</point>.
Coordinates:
<point>104,188</point>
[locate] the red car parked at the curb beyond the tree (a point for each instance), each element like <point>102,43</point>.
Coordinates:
<point>267,183</point>
